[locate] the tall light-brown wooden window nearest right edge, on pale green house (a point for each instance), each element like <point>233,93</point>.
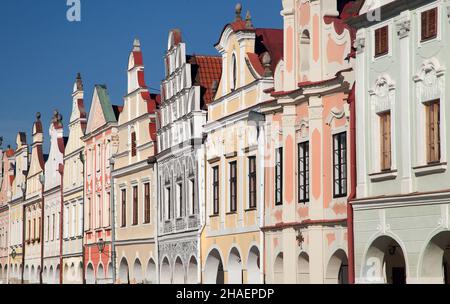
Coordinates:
<point>433,132</point>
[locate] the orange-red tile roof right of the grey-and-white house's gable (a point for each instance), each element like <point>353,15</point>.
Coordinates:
<point>209,69</point>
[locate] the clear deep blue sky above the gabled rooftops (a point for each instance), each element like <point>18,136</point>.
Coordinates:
<point>41,52</point>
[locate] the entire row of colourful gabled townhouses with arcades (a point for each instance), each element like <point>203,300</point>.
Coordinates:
<point>315,153</point>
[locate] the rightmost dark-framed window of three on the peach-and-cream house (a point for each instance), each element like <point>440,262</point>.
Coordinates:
<point>340,164</point>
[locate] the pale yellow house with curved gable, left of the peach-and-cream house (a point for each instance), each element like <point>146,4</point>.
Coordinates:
<point>232,243</point>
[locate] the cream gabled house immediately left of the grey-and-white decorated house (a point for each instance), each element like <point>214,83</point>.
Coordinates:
<point>134,179</point>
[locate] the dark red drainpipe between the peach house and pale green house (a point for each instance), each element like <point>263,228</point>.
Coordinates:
<point>350,232</point>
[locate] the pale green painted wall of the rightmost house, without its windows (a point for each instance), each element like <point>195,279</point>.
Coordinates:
<point>412,215</point>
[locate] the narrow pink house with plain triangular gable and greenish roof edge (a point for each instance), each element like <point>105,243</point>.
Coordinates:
<point>97,214</point>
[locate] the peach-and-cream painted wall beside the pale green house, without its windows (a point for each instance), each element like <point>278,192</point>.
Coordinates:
<point>306,239</point>
